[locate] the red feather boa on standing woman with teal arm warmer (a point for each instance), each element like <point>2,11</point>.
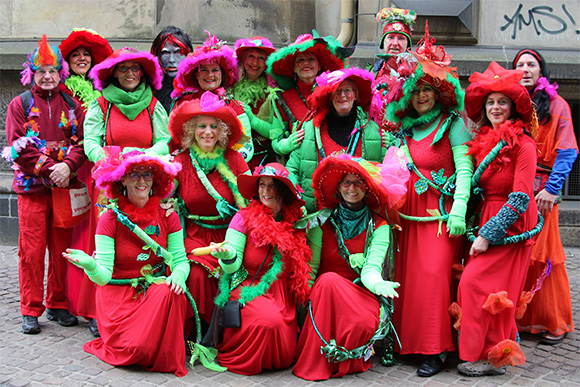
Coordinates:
<point>487,137</point>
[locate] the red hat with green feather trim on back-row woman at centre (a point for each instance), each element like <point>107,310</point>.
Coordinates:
<point>328,50</point>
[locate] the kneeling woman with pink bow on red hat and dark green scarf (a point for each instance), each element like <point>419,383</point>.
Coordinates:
<point>347,296</point>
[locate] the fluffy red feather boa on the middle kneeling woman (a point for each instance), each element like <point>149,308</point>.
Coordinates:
<point>290,242</point>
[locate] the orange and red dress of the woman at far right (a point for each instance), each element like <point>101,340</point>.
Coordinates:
<point>551,308</point>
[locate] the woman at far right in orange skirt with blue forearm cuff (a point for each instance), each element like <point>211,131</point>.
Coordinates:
<point>550,311</point>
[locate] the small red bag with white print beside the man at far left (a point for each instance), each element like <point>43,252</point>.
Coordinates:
<point>70,205</point>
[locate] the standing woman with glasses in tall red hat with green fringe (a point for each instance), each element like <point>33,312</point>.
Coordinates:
<point>427,103</point>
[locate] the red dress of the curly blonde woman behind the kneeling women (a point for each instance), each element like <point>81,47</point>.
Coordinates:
<point>201,281</point>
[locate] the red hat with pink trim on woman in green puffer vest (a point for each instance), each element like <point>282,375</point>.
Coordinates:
<point>328,82</point>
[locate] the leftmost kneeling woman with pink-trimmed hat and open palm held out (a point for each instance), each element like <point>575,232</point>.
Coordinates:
<point>135,238</point>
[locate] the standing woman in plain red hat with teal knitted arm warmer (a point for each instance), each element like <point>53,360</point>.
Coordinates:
<point>494,276</point>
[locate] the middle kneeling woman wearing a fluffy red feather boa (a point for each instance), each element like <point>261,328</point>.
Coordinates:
<point>266,261</point>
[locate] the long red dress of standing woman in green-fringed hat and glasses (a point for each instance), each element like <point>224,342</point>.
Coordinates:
<point>425,257</point>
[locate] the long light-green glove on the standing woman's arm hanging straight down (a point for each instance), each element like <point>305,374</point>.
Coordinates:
<point>464,169</point>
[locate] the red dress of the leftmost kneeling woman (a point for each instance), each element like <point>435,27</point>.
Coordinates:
<point>142,328</point>
